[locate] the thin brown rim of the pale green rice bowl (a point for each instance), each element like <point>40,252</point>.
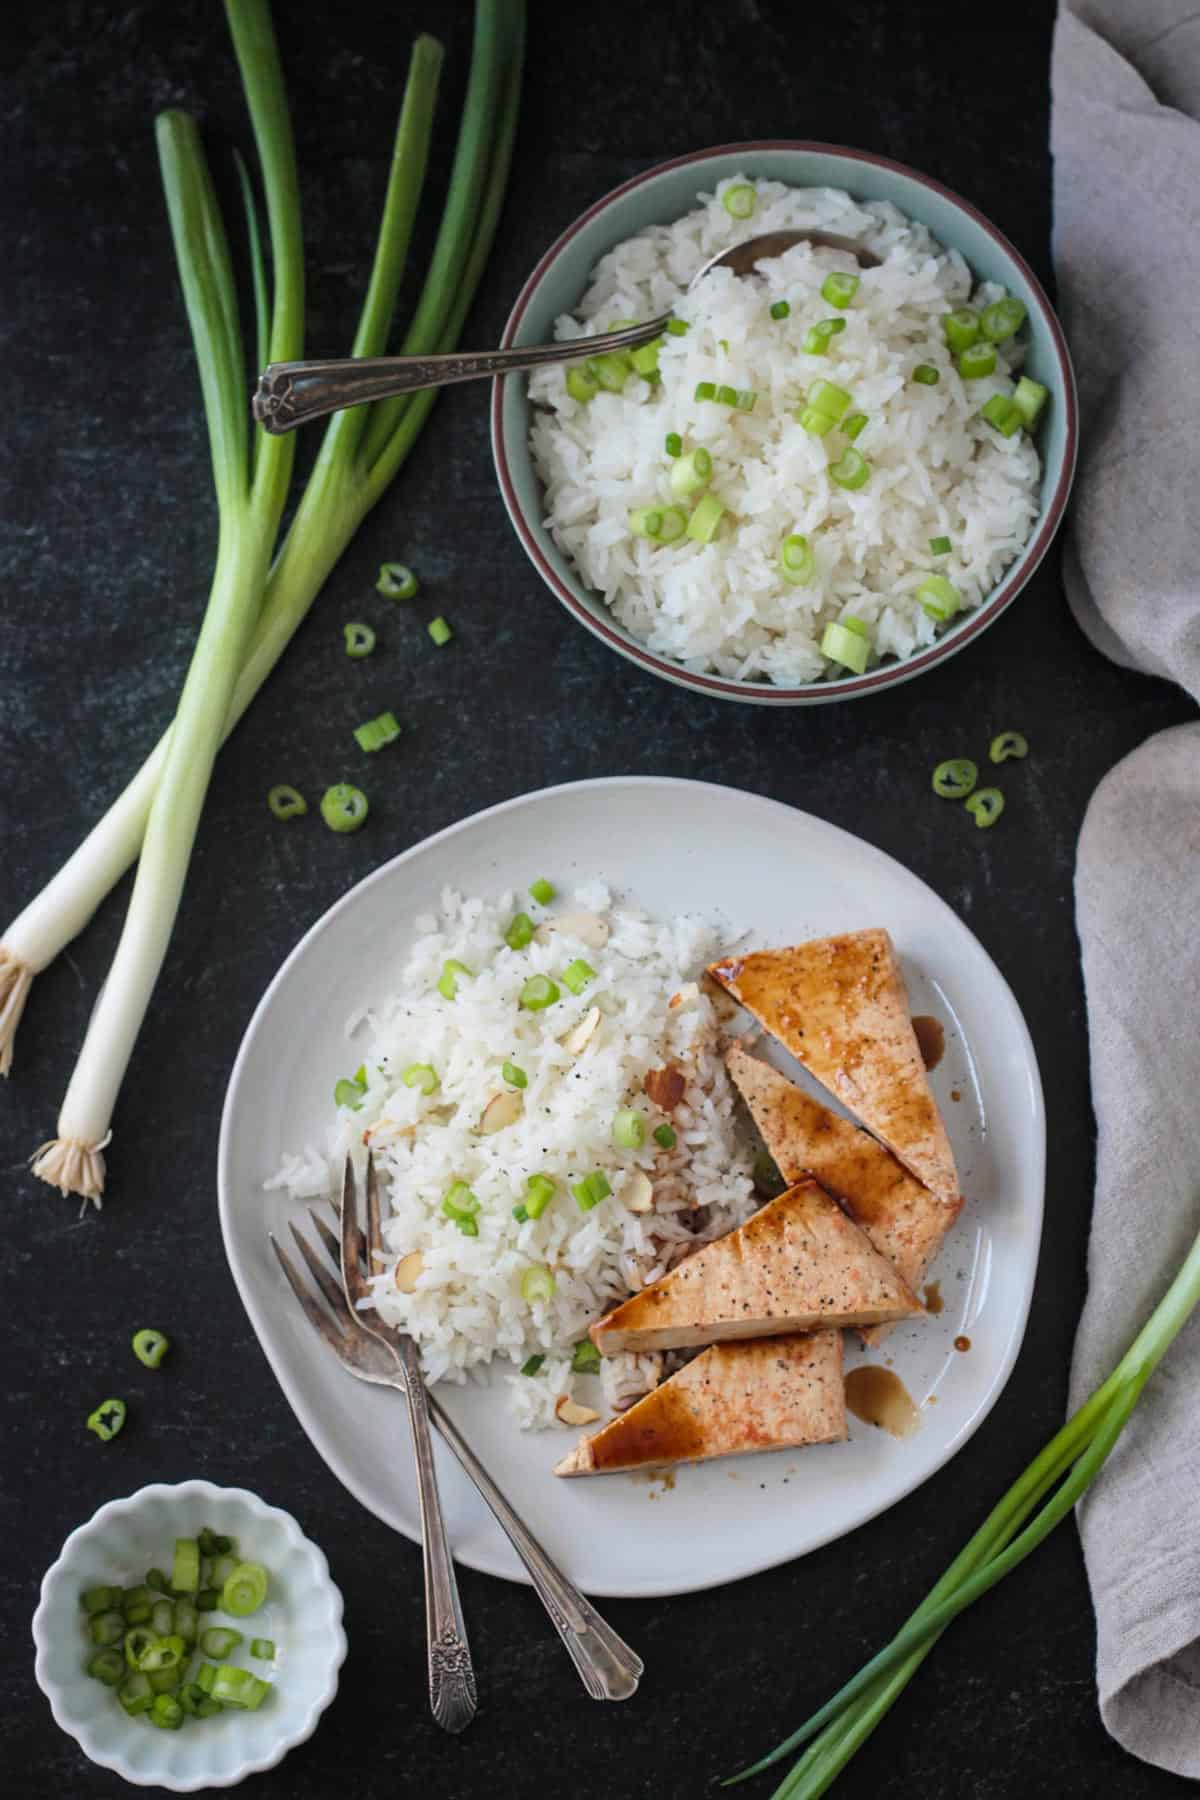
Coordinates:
<point>769,692</point>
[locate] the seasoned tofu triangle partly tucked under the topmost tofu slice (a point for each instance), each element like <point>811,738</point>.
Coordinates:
<point>904,1221</point>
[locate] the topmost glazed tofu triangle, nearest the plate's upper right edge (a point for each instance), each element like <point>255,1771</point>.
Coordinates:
<point>843,1011</point>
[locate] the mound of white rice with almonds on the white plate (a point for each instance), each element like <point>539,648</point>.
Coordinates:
<point>467,1306</point>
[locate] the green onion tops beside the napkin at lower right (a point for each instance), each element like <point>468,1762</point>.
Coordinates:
<point>1044,1495</point>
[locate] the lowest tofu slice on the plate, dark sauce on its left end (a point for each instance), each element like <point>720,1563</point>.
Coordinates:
<point>769,1394</point>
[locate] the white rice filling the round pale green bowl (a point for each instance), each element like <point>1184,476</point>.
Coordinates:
<point>936,469</point>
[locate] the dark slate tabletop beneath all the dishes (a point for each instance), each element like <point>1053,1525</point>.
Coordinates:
<point>107,550</point>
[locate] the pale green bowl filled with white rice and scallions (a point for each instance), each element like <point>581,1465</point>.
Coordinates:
<point>812,485</point>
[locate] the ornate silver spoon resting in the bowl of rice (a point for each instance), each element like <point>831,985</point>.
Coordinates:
<point>292,393</point>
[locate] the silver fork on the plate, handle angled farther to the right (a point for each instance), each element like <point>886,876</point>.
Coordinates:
<point>605,1662</point>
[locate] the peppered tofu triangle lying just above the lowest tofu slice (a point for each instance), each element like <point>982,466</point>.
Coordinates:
<point>800,1264</point>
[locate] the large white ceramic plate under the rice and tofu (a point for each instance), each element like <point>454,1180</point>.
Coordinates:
<point>780,876</point>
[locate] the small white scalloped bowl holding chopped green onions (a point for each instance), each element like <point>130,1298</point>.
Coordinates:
<point>303,1614</point>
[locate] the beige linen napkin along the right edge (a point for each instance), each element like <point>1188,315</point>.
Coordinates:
<point>1127,247</point>
